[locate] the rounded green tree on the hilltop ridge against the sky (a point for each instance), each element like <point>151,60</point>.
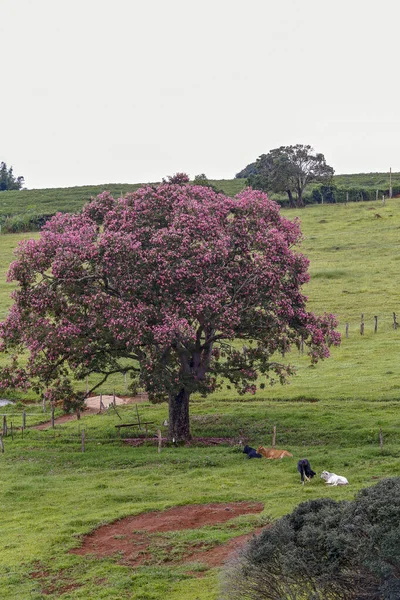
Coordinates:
<point>290,169</point>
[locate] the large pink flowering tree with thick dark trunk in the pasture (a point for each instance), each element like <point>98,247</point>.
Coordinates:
<point>178,285</point>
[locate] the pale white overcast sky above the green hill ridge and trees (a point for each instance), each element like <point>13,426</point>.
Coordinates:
<point>129,91</point>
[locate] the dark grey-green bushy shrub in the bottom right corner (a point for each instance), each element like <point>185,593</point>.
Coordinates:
<point>325,550</point>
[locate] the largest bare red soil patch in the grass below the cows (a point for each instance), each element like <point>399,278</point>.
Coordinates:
<point>130,538</point>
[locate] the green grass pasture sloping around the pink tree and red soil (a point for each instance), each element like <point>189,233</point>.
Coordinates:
<point>52,493</point>
